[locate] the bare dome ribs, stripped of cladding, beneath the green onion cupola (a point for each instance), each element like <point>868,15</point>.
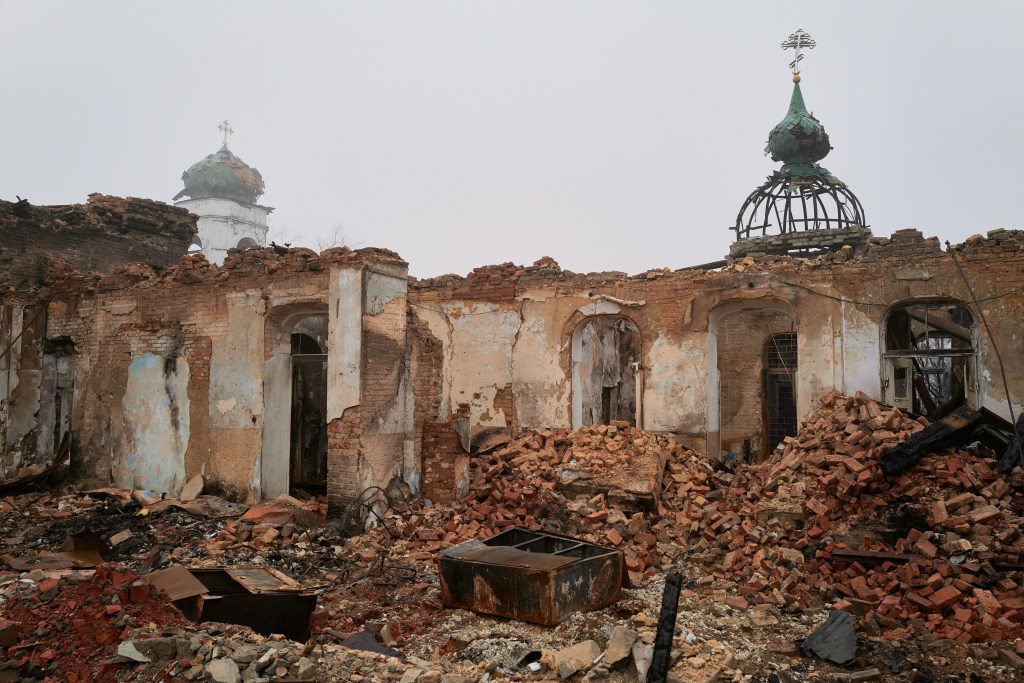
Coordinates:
<point>790,204</point>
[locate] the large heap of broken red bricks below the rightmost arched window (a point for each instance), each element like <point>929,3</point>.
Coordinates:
<point>773,530</point>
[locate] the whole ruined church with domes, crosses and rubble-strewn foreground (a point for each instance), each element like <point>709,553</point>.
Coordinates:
<point>270,447</point>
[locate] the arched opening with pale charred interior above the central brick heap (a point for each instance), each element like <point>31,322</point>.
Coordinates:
<point>606,362</point>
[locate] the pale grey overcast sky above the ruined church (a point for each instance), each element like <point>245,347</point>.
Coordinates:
<point>609,136</point>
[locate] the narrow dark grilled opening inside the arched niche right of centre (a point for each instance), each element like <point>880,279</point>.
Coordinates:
<point>780,388</point>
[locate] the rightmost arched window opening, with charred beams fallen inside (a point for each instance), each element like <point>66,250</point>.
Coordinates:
<point>930,358</point>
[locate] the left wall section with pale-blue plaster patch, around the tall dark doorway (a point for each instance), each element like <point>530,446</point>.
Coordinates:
<point>217,323</point>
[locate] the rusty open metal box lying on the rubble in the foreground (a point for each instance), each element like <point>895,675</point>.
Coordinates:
<point>530,576</point>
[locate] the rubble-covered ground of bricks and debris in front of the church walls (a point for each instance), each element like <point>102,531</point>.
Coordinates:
<point>929,563</point>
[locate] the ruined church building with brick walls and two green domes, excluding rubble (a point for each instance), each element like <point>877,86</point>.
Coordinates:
<point>150,344</point>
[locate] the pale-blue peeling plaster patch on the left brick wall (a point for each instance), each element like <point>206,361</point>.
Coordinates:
<point>156,413</point>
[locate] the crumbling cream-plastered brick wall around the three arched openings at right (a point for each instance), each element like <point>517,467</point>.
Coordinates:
<point>494,341</point>
